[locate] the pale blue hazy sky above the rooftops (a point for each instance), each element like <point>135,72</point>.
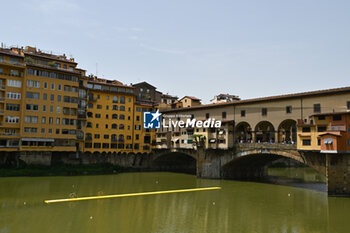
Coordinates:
<point>249,48</point>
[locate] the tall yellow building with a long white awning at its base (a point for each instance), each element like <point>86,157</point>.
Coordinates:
<point>49,103</point>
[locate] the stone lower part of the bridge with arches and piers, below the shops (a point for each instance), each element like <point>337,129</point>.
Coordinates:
<point>247,161</point>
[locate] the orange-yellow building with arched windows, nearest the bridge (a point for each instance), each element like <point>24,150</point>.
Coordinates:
<point>114,120</point>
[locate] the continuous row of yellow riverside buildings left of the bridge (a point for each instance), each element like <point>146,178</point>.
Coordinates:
<point>47,104</point>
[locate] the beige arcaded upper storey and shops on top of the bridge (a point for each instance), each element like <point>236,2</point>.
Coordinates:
<point>261,120</point>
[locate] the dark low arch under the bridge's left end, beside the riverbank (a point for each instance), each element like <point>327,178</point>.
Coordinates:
<point>175,162</point>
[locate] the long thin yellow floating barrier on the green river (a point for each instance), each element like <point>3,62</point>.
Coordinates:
<point>131,195</point>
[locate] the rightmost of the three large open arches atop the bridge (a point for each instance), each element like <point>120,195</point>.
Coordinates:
<point>287,131</point>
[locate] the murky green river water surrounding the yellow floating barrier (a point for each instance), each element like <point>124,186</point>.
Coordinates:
<point>238,207</point>
